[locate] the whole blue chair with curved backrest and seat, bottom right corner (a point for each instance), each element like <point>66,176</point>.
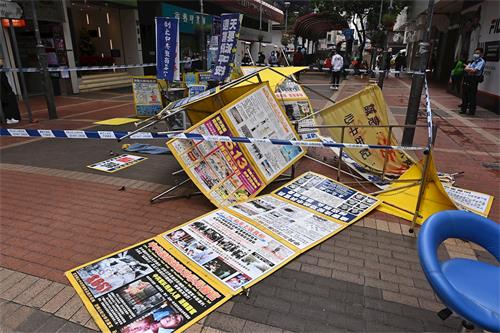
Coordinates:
<point>470,288</point>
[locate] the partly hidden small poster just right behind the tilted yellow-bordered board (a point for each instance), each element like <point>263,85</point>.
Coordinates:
<point>297,110</point>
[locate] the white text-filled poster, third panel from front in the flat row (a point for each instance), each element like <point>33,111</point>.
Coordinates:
<point>296,225</point>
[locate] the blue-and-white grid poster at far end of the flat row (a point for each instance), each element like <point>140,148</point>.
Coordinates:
<point>328,197</point>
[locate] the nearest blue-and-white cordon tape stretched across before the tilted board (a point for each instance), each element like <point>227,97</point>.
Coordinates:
<point>76,134</point>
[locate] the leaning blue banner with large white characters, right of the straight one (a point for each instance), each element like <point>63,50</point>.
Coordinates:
<point>230,33</point>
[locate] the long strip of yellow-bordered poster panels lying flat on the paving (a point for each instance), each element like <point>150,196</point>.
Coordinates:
<point>187,272</point>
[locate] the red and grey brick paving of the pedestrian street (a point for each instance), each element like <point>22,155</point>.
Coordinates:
<point>367,278</point>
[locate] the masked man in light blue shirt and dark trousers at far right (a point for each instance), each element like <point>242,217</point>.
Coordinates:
<point>472,76</point>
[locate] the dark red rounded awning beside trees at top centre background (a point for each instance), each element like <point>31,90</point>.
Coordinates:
<point>314,26</point>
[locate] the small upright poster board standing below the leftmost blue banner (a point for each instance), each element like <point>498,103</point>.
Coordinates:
<point>147,96</point>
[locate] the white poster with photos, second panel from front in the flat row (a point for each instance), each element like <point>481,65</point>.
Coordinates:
<point>229,248</point>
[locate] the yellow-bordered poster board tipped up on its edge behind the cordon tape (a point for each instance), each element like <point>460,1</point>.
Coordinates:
<point>229,172</point>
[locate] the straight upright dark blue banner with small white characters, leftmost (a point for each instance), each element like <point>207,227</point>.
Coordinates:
<point>167,49</point>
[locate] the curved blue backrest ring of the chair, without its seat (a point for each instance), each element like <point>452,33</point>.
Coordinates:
<point>465,226</point>
